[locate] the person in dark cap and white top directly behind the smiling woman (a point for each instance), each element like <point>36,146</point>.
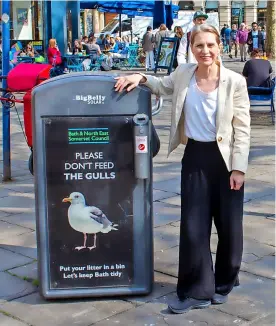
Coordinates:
<point>184,53</point>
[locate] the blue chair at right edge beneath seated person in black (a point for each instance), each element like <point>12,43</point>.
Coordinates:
<point>267,96</point>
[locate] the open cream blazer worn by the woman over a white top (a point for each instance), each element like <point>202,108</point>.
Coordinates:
<point>232,118</point>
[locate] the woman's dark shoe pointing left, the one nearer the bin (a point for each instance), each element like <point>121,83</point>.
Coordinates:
<point>182,306</point>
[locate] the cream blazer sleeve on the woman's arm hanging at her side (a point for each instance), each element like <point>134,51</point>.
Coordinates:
<point>241,126</point>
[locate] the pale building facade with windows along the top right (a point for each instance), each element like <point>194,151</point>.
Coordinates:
<point>231,12</point>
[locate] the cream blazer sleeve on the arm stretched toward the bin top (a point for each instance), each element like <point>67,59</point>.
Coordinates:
<point>161,85</point>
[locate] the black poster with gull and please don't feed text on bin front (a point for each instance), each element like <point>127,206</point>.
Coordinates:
<point>89,184</point>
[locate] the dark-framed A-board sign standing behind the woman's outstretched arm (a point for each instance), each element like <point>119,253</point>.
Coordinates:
<point>166,53</point>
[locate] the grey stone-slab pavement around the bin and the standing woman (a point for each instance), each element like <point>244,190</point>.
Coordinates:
<point>252,303</point>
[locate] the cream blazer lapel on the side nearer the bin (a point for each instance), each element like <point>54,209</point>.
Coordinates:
<point>182,91</point>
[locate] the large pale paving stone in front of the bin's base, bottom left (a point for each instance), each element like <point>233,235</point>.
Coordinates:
<point>61,313</point>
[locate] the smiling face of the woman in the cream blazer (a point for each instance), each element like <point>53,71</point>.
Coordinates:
<point>205,48</point>
